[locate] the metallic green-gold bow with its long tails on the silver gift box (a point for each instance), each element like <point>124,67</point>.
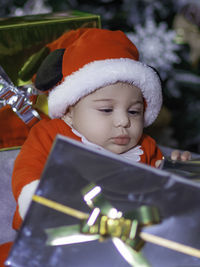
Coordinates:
<point>104,222</point>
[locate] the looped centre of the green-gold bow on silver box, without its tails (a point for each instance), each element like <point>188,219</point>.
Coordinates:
<point>107,221</point>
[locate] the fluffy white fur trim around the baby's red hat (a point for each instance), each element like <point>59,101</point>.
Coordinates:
<point>104,72</point>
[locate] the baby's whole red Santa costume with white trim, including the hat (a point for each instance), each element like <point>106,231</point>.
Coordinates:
<point>80,62</point>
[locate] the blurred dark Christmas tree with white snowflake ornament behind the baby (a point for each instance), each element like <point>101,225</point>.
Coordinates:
<point>168,38</point>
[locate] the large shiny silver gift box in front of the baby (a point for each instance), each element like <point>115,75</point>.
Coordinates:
<point>144,216</point>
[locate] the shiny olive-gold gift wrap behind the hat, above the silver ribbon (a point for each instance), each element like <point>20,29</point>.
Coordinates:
<point>21,37</point>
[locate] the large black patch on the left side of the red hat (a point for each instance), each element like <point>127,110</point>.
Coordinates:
<point>50,71</point>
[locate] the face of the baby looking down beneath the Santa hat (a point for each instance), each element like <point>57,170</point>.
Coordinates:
<point>111,117</point>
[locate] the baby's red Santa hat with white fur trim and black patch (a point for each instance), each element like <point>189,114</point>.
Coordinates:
<point>86,59</point>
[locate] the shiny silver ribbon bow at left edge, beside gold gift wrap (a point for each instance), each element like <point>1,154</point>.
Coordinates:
<point>19,98</point>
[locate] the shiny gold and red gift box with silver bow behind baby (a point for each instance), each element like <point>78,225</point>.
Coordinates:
<point>22,41</point>
